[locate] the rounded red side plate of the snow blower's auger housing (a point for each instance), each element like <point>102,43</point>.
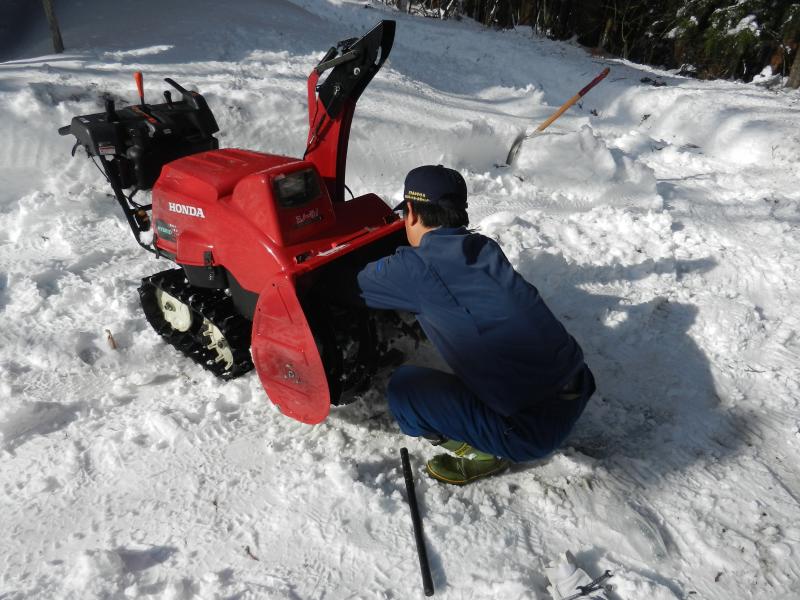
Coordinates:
<point>285,354</point>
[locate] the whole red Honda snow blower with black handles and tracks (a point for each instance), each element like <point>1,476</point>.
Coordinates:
<point>258,238</point>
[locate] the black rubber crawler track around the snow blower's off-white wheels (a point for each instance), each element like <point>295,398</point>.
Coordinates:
<point>213,305</point>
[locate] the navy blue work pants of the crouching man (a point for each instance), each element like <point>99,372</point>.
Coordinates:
<point>427,402</point>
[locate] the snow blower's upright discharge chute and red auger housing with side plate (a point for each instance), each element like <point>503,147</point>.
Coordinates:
<point>283,347</point>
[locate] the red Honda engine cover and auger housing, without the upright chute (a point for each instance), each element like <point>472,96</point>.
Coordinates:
<point>211,219</point>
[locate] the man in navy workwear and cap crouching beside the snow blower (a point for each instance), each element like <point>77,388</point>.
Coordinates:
<point>519,382</point>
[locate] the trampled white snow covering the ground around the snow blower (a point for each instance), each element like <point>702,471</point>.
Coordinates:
<point>660,223</point>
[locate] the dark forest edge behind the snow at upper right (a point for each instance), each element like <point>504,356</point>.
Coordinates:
<point>731,39</point>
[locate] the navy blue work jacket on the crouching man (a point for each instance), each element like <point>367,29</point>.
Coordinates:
<point>490,325</point>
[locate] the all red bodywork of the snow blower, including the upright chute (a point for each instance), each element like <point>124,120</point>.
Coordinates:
<point>224,208</point>
